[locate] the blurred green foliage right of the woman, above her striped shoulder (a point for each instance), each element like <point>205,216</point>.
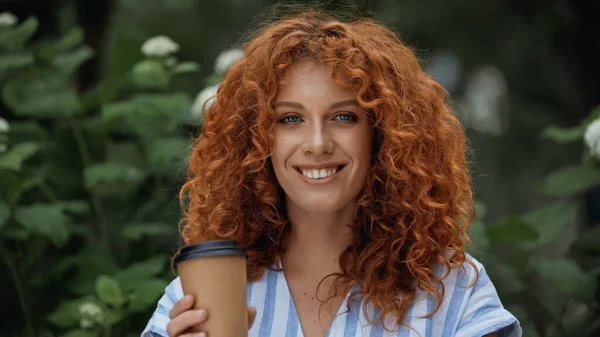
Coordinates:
<point>545,269</point>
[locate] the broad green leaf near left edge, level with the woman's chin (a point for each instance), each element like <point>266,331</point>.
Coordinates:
<point>45,219</point>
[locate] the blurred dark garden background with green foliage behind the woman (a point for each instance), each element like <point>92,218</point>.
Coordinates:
<point>100,99</point>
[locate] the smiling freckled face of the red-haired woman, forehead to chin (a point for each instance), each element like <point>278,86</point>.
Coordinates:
<point>323,141</point>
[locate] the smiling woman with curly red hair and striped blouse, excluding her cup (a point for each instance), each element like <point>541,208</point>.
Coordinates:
<point>335,161</point>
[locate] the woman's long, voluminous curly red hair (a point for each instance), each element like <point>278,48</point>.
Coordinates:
<point>414,210</point>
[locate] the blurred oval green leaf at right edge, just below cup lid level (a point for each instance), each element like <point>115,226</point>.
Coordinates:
<point>567,276</point>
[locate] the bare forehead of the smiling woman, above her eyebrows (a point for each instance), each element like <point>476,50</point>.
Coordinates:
<point>307,79</point>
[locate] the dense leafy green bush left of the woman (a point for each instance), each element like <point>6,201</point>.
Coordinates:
<point>85,218</point>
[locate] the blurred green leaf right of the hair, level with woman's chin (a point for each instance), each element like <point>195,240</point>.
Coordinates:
<point>551,221</point>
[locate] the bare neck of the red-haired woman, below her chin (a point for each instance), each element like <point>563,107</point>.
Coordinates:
<point>317,240</point>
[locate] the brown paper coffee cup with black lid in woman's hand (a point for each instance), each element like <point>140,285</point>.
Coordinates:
<point>215,273</point>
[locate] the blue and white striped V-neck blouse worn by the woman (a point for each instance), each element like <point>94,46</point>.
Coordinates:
<point>465,311</point>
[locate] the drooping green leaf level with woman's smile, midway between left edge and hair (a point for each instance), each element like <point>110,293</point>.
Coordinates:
<point>100,173</point>
